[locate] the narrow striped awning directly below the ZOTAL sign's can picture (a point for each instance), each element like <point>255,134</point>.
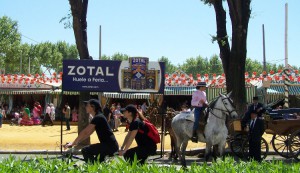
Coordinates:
<point>126,95</point>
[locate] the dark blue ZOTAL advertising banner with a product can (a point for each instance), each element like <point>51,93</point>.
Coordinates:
<point>135,75</point>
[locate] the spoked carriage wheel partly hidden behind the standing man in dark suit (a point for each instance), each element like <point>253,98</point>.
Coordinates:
<point>264,149</point>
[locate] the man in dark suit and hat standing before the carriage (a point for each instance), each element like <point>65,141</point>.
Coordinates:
<point>256,130</point>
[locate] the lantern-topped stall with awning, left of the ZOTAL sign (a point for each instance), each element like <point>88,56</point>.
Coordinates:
<point>19,90</point>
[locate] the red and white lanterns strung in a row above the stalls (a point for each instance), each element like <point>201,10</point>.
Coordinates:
<point>176,79</point>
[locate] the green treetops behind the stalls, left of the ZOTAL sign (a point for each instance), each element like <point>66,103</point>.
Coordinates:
<point>17,58</point>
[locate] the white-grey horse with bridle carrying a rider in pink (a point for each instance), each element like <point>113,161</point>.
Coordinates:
<point>215,130</point>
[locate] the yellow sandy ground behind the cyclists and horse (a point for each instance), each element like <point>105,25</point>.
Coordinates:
<point>28,138</point>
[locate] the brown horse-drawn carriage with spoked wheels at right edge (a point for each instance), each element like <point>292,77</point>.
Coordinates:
<point>283,124</point>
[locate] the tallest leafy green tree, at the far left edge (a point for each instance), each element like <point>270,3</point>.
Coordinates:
<point>10,40</point>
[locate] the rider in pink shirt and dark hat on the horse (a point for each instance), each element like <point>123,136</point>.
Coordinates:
<point>199,102</point>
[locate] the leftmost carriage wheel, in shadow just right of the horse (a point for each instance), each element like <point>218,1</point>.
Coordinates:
<point>236,145</point>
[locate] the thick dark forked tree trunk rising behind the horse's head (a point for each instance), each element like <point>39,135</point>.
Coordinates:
<point>234,60</point>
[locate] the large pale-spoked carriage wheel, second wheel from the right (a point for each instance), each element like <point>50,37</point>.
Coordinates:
<point>280,143</point>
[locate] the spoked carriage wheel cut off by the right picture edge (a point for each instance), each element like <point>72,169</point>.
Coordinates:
<point>294,146</point>
